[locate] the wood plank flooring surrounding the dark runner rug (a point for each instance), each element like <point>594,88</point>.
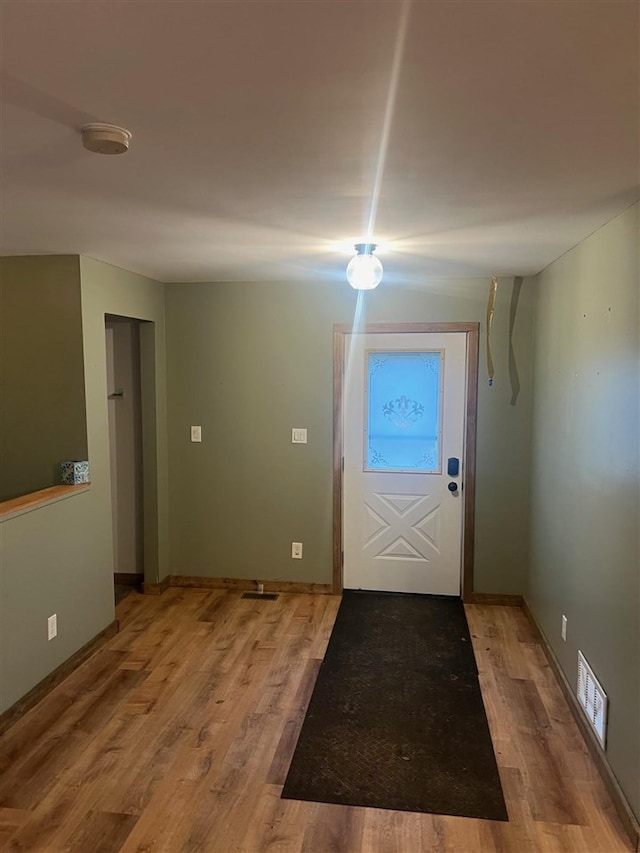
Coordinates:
<point>177,736</point>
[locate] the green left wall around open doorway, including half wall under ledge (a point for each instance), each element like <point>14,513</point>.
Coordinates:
<point>59,558</point>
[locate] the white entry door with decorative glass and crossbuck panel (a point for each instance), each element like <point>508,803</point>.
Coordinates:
<point>404,430</point>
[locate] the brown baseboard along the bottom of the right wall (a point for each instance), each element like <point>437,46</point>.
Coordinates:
<point>621,805</point>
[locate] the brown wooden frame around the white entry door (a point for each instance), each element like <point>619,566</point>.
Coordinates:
<point>472,331</point>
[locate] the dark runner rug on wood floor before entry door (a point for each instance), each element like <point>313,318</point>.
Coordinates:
<point>396,719</point>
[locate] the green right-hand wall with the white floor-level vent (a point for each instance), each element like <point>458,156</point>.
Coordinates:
<point>585,511</point>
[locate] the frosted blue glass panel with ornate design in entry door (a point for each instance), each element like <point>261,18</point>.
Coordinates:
<point>403,411</point>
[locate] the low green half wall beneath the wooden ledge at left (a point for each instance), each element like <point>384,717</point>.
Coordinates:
<point>52,561</point>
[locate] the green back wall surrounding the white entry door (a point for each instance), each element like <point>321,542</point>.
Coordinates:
<point>248,362</point>
